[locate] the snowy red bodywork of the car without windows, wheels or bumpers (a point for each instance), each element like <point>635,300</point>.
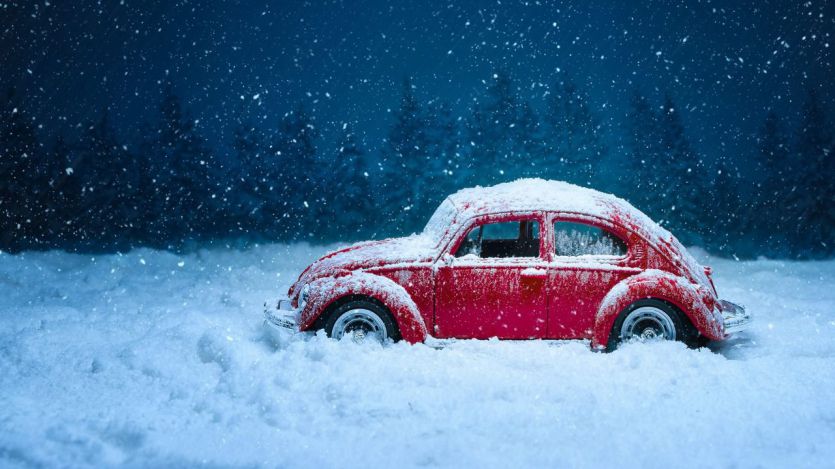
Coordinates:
<point>432,293</point>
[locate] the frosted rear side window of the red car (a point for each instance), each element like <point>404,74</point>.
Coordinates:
<point>580,239</point>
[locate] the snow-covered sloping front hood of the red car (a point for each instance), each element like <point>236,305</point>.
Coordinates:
<point>368,254</point>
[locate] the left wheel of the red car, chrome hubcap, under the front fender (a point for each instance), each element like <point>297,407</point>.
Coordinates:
<point>361,321</point>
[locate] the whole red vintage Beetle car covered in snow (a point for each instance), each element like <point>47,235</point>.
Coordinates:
<point>530,259</point>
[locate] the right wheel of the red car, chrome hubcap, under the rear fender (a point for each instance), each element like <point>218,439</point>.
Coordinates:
<point>645,321</point>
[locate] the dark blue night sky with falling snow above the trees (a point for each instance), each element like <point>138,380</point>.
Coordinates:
<point>725,63</point>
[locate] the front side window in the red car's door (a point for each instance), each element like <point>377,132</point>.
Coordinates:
<point>504,239</point>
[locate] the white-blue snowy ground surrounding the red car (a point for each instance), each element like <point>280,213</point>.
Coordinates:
<point>150,358</point>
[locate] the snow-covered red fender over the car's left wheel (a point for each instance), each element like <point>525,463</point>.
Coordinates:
<point>327,290</point>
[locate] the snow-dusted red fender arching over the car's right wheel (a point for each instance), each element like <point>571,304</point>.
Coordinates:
<point>689,298</point>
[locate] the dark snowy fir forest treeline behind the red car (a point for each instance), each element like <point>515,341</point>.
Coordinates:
<point>95,192</point>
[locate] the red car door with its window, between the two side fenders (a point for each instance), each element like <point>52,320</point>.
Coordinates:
<point>492,281</point>
